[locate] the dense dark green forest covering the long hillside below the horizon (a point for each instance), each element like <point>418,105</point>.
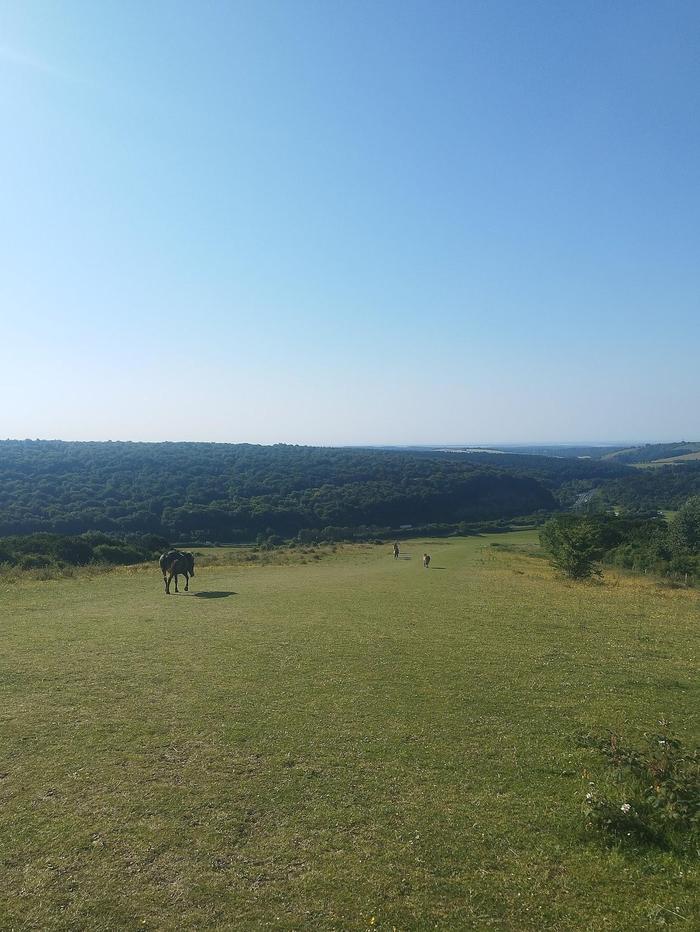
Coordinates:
<point>242,492</point>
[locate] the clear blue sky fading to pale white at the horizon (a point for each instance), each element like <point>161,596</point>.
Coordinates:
<point>356,222</point>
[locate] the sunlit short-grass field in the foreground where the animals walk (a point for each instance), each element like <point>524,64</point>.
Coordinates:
<point>349,743</point>
